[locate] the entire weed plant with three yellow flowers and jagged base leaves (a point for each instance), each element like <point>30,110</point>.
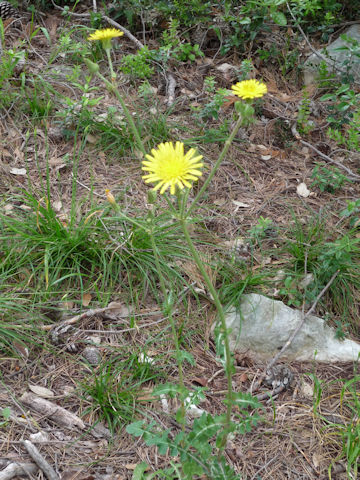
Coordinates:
<point>169,167</point>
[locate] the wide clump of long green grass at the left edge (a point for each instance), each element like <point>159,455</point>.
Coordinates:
<point>83,252</point>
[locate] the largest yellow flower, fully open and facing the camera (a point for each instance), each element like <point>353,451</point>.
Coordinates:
<point>170,167</point>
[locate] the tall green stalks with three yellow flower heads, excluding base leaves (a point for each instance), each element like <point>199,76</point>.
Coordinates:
<point>169,167</point>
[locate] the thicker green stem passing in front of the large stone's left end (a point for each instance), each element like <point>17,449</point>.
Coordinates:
<point>219,307</point>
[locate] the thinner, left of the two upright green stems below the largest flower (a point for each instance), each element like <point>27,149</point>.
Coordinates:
<point>168,312</point>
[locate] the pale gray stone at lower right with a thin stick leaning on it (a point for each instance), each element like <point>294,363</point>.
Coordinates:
<point>261,326</point>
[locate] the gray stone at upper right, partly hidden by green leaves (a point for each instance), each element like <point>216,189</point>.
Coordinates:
<point>334,57</point>
